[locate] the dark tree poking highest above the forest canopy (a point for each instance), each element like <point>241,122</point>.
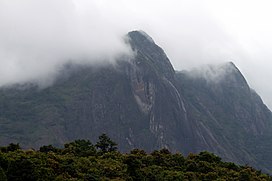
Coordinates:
<point>105,144</point>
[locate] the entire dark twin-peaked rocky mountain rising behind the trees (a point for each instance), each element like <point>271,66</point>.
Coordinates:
<point>144,103</point>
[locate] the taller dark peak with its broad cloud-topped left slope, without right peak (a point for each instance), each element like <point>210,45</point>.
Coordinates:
<point>130,101</point>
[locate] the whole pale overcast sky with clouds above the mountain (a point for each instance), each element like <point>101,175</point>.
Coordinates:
<point>38,36</point>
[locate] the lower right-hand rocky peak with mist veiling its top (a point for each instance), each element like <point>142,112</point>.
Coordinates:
<point>220,98</point>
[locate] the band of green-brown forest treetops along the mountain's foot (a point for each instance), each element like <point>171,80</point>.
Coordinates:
<point>81,160</point>
